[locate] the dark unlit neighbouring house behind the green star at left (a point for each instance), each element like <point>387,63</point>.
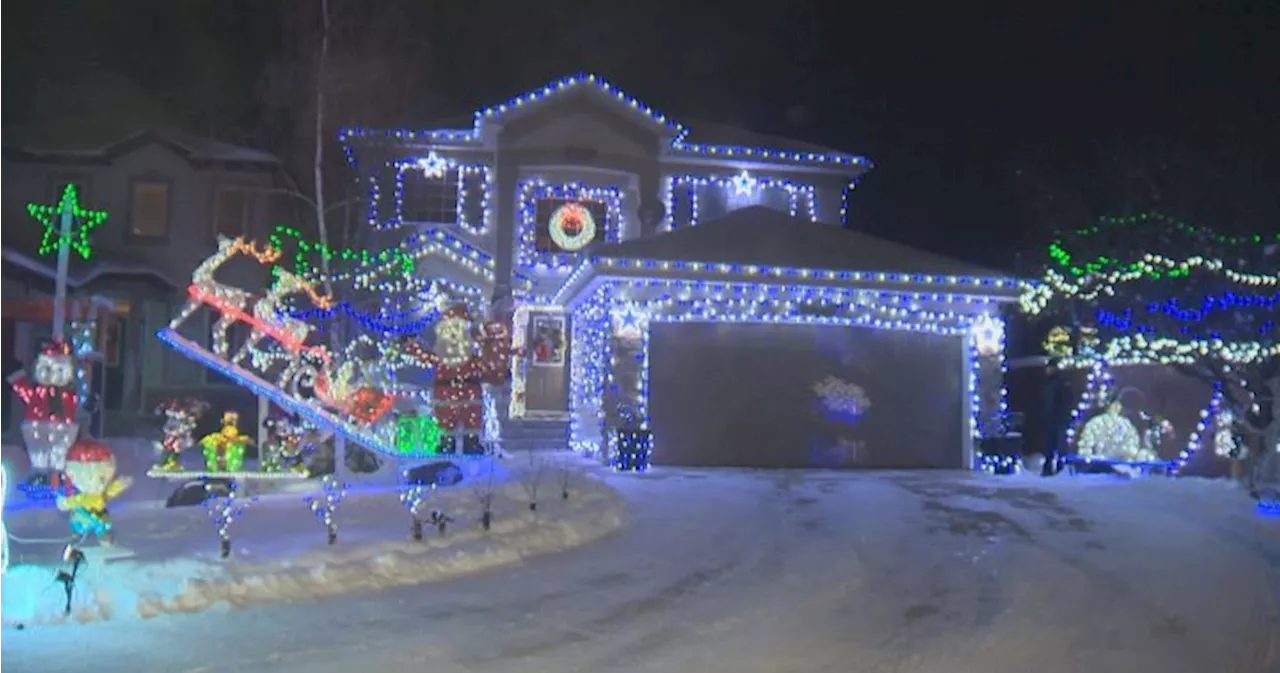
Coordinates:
<point>168,196</point>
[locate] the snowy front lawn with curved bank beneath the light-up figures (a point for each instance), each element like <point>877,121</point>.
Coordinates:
<point>281,552</point>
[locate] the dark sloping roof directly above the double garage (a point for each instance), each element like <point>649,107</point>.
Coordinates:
<point>765,237</point>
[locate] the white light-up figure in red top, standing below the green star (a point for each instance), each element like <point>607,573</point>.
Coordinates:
<point>49,424</point>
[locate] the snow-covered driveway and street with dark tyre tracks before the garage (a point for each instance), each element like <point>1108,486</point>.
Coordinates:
<point>743,573</point>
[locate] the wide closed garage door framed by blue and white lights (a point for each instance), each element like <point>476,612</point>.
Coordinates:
<point>799,396</point>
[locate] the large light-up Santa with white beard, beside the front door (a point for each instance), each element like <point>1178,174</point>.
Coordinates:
<point>467,358</point>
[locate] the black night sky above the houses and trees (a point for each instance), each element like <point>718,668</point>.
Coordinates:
<point>991,123</point>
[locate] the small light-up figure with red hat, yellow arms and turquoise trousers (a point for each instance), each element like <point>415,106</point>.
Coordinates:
<point>92,473</point>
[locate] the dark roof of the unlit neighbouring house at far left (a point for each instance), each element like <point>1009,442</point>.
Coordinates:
<point>107,139</point>
